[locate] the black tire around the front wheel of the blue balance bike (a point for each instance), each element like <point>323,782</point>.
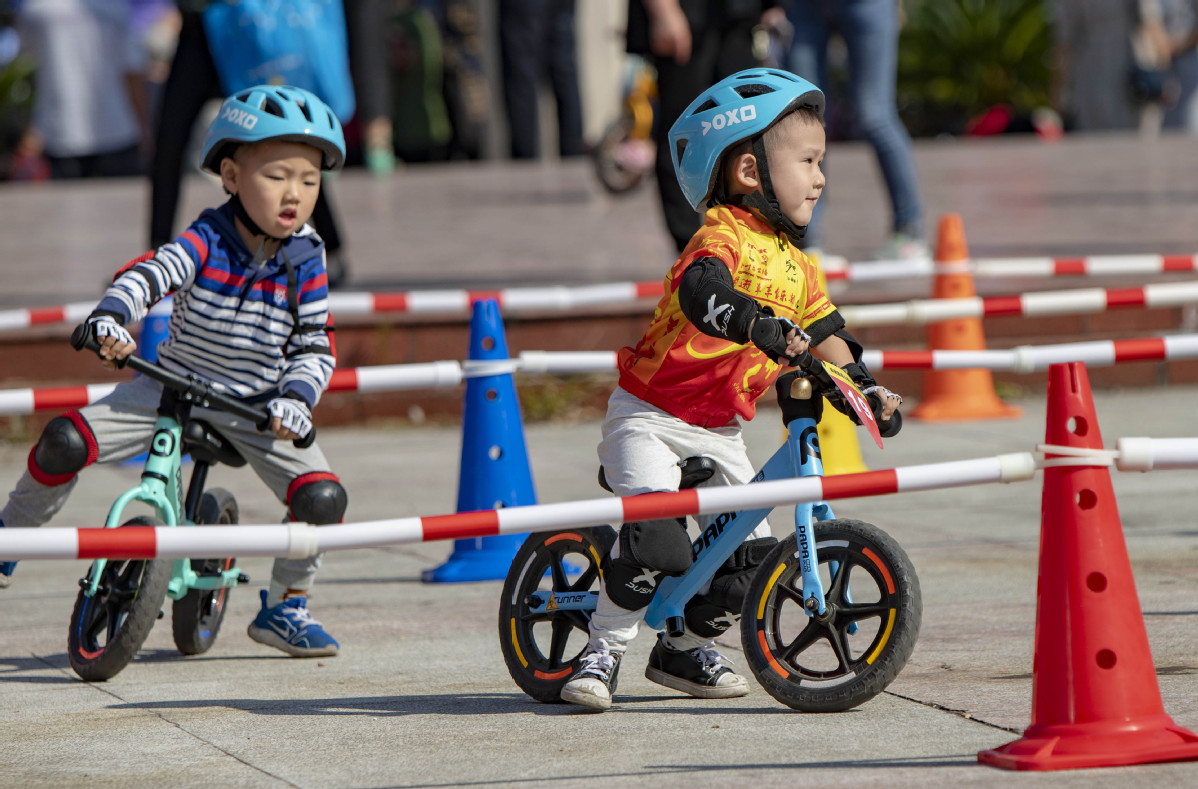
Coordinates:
<point>886,656</point>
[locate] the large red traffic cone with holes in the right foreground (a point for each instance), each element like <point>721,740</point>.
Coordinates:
<point>1096,701</point>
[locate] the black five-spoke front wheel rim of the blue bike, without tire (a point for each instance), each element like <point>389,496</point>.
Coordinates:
<point>825,651</point>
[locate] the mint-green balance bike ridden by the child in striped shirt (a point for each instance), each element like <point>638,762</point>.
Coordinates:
<point>120,600</point>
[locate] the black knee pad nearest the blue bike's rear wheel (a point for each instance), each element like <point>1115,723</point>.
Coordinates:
<point>649,551</point>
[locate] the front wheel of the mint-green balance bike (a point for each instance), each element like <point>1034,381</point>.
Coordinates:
<point>108,629</point>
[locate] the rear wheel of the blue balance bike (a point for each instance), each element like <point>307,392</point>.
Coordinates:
<point>541,648</point>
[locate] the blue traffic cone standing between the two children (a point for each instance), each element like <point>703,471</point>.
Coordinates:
<point>495,469</point>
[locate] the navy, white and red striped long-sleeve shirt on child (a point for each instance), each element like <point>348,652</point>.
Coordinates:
<point>232,323</point>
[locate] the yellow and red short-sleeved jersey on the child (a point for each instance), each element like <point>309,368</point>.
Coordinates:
<point>706,380</point>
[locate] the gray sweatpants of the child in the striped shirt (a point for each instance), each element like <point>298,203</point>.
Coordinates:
<point>123,424</point>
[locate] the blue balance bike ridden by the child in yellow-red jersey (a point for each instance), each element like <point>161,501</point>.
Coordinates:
<point>831,616</point>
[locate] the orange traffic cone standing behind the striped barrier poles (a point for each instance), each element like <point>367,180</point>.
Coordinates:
<point>958,396</point>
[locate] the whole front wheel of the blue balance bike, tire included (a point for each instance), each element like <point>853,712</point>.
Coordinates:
<point>840,661</point>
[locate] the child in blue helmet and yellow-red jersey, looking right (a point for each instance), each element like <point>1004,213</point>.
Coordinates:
<point>740,305</point>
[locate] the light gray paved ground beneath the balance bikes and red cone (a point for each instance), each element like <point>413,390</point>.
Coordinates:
<point>421,697</point>
